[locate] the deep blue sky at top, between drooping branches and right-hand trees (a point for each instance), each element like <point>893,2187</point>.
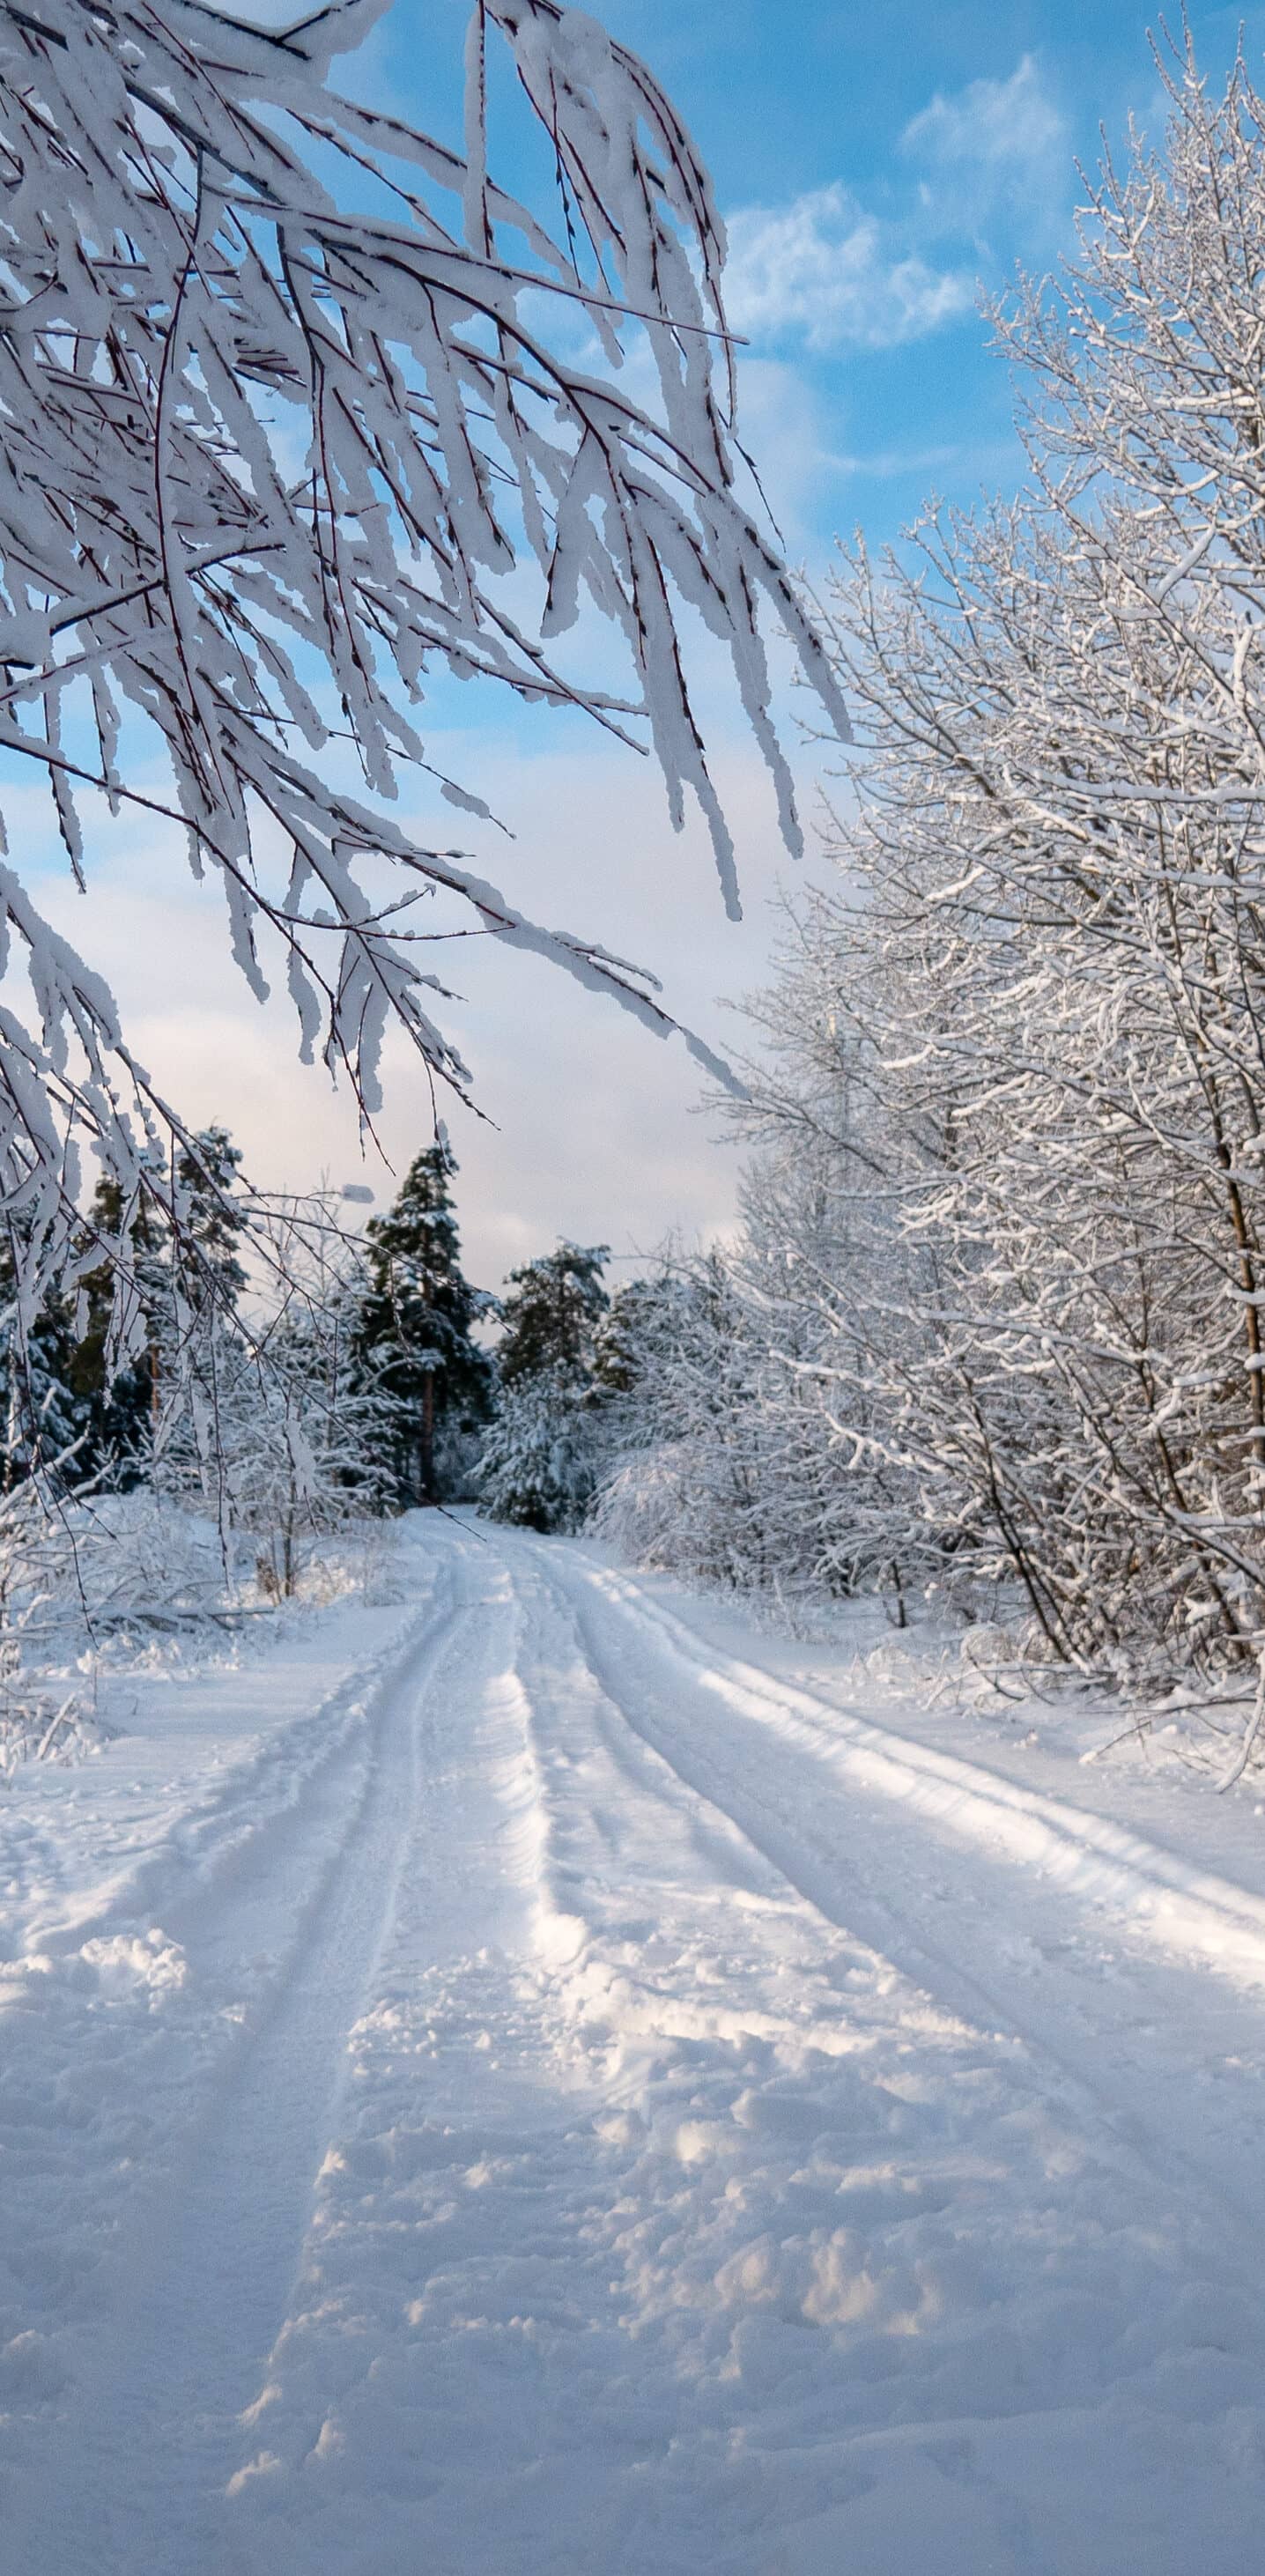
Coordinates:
<point>877,164</point>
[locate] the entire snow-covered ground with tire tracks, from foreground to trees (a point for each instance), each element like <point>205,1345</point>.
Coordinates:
<point>553,2080</point>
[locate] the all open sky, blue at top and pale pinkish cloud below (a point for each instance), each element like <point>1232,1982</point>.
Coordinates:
<point>877,166</point>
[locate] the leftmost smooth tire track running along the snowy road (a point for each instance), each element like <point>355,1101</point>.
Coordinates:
<point>158,2407</point>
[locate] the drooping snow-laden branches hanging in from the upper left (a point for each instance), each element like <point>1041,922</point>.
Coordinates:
<point>290,393</point>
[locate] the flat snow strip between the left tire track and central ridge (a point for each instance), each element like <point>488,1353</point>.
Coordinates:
<point>462,2090</point>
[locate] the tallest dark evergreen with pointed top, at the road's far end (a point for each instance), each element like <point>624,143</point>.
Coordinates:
<point>416,1328</point>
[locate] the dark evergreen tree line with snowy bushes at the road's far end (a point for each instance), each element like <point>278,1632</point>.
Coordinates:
<point>287,1374</point>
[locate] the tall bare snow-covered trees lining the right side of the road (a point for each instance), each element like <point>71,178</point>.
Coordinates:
<point>1001,1276</point>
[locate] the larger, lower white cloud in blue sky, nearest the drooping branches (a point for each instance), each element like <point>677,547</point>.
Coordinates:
<point>833,274</point>
